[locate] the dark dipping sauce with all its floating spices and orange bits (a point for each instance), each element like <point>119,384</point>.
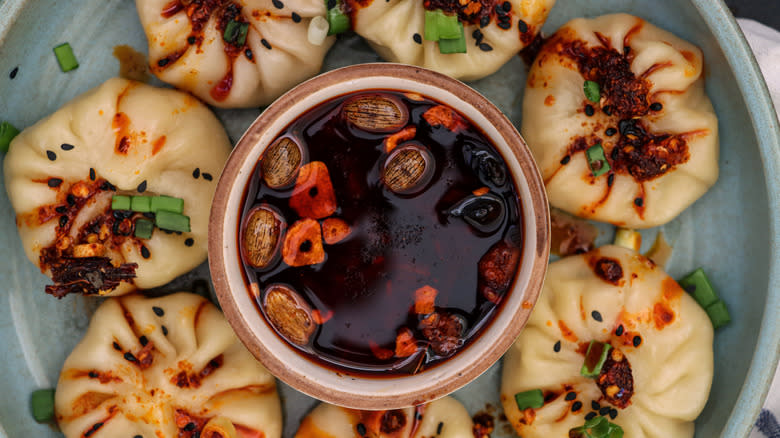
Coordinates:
<point>380,233</point>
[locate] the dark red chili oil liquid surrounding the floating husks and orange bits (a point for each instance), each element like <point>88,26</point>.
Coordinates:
<point>398,243</point>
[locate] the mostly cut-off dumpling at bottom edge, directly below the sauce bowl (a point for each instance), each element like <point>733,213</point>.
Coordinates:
<point>444,418</point>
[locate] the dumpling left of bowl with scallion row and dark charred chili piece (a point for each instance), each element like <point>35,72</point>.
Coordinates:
<point>123,138</point>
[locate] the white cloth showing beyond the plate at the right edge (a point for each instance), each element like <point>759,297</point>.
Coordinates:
<point>765,43</point>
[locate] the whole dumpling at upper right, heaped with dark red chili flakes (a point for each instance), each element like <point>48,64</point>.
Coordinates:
<point>646,107</point>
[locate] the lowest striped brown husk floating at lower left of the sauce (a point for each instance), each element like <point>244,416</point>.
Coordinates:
<point>289,314</point>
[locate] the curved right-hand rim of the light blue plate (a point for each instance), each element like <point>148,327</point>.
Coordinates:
<point>724,27</point>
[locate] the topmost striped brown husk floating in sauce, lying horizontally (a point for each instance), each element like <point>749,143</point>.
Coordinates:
<point>376,113</point>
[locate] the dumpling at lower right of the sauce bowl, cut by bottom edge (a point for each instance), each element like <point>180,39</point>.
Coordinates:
<point>657,376</point>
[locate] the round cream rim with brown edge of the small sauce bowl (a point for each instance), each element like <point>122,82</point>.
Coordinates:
<point>339,387</point>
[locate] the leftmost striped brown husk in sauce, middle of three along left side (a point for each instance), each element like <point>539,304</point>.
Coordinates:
<point>261,234</point>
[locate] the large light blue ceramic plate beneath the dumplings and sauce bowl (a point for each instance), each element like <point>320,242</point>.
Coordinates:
<point>732,231</point>
